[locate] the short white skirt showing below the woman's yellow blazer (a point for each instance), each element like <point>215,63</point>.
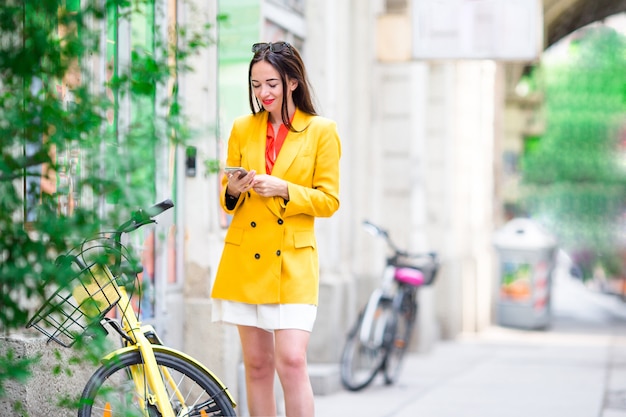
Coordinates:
<point>265,316</point>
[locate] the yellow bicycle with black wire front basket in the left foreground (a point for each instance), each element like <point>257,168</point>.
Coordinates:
<point>143,377</point>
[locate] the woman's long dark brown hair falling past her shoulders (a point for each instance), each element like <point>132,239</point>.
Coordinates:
<point>287,61</point>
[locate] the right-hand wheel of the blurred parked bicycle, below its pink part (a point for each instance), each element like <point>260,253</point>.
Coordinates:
<point>404,313</point>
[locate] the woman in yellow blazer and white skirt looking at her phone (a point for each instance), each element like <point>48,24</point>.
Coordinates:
<point>267,279</point>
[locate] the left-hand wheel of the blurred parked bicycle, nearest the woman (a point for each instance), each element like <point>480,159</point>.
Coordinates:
<point>364,352</point>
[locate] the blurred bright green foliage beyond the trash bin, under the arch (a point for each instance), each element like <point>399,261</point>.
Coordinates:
<point>575,178</point>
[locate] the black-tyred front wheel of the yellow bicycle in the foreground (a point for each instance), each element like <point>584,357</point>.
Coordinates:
<point>111,392</point>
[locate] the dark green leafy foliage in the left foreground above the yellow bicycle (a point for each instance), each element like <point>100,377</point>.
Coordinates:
<point>61,140</point>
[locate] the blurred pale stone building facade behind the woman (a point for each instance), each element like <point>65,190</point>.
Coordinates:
<point>427,98</point>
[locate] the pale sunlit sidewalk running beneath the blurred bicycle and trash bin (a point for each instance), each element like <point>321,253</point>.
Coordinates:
<point>576,368</point>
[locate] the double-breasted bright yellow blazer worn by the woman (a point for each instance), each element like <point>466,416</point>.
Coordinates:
<point>270,251</point>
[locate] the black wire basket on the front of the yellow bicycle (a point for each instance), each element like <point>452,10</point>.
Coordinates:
<point>72,309</point>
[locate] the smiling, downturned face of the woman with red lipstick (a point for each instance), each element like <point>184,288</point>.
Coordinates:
<point>268,88</point>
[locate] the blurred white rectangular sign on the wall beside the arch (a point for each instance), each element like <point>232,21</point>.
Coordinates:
<point>508,30</point>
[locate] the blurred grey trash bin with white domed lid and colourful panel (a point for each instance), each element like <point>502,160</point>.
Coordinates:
<point>526,261</point>
